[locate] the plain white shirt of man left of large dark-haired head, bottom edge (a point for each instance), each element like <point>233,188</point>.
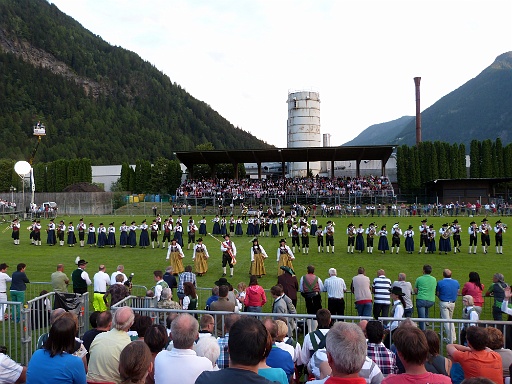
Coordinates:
<point>182,365</point>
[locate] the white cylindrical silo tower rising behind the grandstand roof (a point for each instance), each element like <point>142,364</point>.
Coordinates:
<point>303,127</point>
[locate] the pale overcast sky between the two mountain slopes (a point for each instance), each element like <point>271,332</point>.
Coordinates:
<point>243,57</point>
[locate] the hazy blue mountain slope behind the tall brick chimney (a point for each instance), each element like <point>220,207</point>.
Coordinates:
<point>478,110</point>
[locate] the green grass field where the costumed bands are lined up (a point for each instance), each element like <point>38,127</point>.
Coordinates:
<point>42,260</point>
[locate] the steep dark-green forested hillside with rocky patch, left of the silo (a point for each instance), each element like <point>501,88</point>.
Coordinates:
<point>97,101</point>
